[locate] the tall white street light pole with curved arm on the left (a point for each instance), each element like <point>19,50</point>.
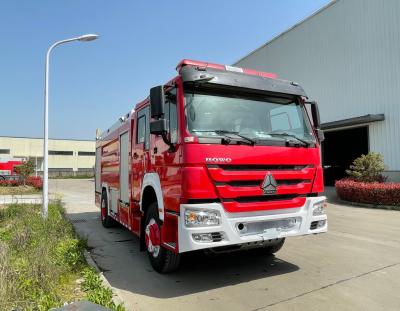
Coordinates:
<point>45,205</point>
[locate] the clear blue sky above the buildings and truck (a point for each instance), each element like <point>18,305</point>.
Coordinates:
<point>92,84</point>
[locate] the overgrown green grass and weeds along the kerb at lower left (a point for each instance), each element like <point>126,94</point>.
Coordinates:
<point>40,261</point>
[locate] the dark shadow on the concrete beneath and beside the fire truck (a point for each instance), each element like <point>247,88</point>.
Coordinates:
<point>116,251</point>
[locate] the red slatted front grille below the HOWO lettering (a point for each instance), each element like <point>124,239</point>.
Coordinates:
<point>239,186</point>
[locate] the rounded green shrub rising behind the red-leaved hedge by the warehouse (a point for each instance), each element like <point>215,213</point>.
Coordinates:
<point>368,168</point>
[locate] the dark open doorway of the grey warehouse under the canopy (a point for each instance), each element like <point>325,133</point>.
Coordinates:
<point>339,150</point>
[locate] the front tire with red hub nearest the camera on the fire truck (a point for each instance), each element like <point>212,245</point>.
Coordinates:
<point>162,260</point>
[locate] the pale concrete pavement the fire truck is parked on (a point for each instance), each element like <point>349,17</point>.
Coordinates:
<point>355,266</point>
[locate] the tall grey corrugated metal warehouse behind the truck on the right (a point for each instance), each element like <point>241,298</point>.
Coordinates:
<point>346,57</point>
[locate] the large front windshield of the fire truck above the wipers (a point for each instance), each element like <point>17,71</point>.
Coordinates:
<point>259,117</point>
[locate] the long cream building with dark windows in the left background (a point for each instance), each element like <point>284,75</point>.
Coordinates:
<point>66,156</point>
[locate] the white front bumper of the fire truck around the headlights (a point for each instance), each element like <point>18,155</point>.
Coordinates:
<point>229,225</point>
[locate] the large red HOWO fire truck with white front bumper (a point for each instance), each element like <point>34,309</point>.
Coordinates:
<point>219,158</point>
